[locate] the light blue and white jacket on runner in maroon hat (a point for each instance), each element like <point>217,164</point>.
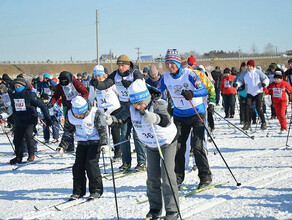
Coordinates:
<point>253,81</point>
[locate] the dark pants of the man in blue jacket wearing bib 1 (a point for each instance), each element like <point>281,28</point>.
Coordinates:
<point>184,126</point>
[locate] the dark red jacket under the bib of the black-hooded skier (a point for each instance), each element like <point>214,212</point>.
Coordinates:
<point>59,92</point>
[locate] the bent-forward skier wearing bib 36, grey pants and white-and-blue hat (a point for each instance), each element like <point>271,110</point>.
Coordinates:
<point>147,111</point>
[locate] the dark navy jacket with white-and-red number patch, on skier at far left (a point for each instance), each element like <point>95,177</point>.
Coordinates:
<point>24,106</point>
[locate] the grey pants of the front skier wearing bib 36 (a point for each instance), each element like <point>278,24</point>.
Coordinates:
<point>158,184</point>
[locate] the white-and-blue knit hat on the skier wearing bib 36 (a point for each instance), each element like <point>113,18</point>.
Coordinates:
<point>138,91</point>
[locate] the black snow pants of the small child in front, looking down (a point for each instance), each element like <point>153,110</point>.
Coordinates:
<point>87,161</point>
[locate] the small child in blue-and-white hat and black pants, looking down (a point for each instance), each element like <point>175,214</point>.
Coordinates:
<point>84,121</point>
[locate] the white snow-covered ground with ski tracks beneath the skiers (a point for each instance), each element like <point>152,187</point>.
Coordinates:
<point>262,166</point>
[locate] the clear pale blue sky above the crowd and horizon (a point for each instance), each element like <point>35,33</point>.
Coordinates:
<point>36,30</point>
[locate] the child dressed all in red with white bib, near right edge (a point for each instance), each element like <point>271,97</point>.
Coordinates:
<point>278,90</point>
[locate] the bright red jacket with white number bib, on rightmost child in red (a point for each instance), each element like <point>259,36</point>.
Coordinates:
<point>278,91</point>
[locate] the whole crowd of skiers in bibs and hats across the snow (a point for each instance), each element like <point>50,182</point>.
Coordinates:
<point>169,113</point>
